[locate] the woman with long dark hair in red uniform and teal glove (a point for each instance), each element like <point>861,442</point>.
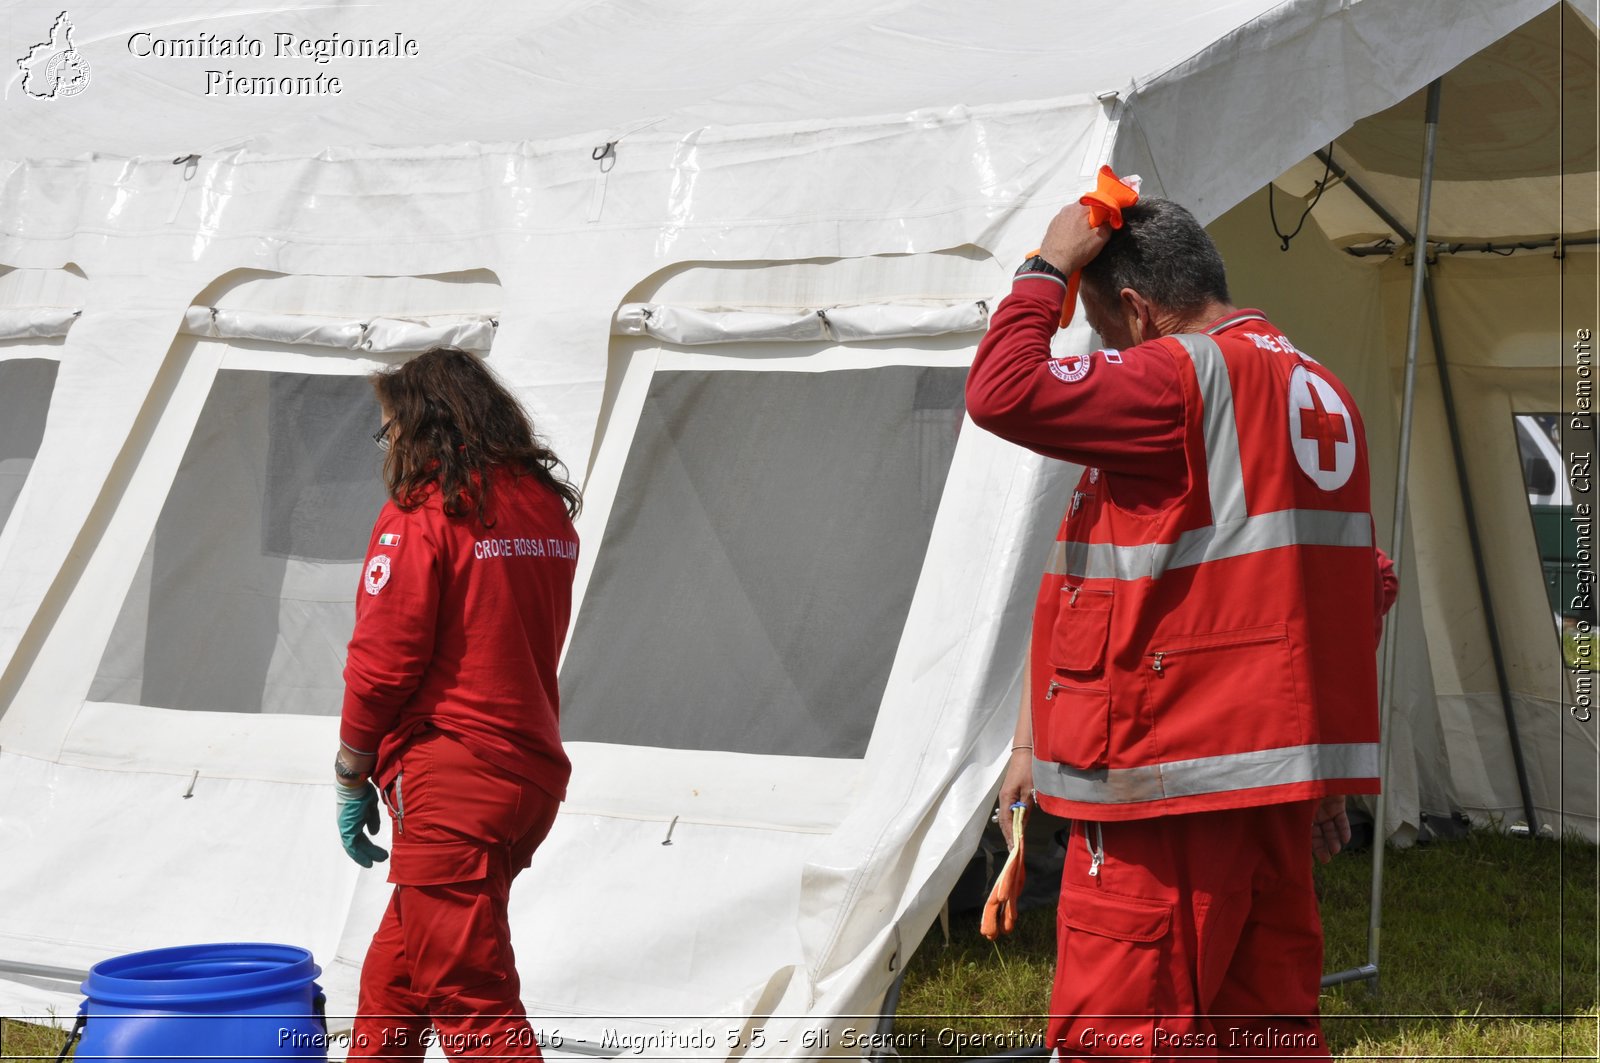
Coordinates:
<point>450,707</point>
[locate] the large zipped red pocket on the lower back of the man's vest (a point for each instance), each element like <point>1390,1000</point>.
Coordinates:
<point>1222,694</point>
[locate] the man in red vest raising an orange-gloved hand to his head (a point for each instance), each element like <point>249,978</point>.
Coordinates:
<point>1202,678</point>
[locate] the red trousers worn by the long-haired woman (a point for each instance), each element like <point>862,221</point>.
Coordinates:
<point>441,968</point>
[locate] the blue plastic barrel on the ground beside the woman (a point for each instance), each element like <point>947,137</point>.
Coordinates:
<point>239,1001</point>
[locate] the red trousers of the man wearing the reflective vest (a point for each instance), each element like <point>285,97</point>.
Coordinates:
<point>1190,936</point>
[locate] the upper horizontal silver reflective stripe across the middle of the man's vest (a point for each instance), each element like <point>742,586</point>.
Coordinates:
<point>1252,536</point>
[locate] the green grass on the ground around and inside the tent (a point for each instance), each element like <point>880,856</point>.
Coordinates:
<point>1489,952</point>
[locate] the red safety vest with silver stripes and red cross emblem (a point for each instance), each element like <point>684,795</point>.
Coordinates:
<point>1218,652</point>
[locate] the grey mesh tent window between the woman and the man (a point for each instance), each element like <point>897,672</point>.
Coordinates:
<point>761,560</point>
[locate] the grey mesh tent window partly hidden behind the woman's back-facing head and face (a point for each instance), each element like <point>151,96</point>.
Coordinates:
<point>244,601</point>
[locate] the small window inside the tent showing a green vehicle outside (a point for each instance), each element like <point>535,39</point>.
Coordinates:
<point>1556,491</point>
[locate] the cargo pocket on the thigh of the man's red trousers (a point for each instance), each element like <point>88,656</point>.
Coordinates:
<point>1113,952</point>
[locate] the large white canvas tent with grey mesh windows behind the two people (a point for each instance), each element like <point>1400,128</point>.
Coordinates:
<point>735,260</point>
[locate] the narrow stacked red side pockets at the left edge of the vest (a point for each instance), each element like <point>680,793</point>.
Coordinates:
<point>1073,721</point>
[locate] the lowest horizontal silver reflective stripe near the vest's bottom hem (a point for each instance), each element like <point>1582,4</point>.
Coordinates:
<point>1207,776</point>
